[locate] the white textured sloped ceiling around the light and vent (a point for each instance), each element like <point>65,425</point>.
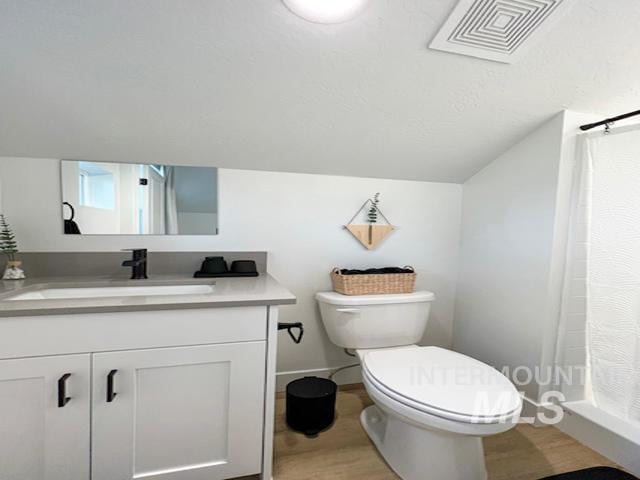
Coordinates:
<point>247,84</point>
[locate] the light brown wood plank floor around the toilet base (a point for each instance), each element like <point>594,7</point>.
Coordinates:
<point>345,452</point>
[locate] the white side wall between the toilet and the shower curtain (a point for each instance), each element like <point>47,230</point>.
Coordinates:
<point>512,251</point>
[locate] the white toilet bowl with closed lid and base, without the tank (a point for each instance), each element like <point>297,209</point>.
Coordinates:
<point>432,408</point>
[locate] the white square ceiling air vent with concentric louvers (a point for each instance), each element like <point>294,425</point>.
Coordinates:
<point>497,30</point>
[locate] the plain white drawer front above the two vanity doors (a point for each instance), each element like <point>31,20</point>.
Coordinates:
<point>100,332</point>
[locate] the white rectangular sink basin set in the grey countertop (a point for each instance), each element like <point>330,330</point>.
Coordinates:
<point>99,292</point>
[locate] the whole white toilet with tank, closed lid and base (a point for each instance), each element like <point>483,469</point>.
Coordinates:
<point>432,406</point>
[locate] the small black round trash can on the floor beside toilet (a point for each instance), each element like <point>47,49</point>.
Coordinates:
<point>311,404</point>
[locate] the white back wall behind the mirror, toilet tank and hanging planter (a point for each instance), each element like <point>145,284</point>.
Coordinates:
<point>297,218</point>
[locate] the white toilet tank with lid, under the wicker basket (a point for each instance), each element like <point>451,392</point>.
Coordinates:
<point>375,321</point>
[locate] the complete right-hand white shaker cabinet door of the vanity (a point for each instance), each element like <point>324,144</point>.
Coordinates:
<point>188,413</point>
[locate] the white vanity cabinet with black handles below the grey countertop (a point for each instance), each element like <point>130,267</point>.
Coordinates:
<point>162,395</point>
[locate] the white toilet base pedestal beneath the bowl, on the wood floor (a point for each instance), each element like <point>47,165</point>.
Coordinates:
<point>416,453</point>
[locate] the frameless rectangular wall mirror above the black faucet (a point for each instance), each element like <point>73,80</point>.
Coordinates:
<point>101,198</point>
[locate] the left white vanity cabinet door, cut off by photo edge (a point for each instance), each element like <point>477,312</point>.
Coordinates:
<point>44,418</point>
